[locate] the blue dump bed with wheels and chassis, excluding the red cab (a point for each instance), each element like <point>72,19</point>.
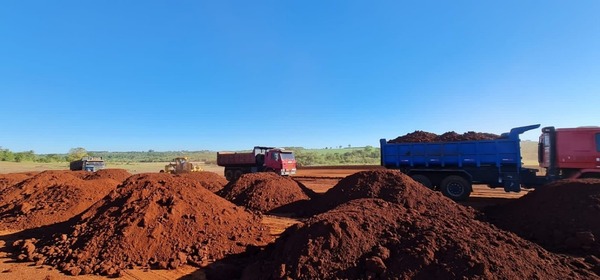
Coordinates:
<point>452,167</point>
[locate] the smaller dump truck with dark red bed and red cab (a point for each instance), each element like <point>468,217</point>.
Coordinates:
<point>261,159</point>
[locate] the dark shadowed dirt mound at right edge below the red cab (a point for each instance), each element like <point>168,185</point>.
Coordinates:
<point>562,216</point>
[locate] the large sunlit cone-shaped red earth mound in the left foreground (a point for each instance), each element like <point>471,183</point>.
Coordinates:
<point>151,220</point>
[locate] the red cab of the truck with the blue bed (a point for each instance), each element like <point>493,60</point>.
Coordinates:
<point>570,152</point>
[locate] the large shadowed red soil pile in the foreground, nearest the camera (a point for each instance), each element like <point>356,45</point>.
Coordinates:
<point>427,236</point>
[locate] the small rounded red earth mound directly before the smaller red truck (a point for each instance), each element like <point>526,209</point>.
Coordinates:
<point>264,191</point>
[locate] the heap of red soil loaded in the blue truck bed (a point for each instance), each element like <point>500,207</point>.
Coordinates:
<point>425,137</point>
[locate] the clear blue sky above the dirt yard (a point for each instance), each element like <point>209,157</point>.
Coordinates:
<point>228,75</point>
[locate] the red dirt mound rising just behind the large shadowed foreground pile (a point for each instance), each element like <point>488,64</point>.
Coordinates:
<point>389,185</point>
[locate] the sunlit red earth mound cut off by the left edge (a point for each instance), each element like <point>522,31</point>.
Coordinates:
<point>49,197</point>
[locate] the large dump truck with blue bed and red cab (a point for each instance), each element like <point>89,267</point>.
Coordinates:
<point>453,167</point>
